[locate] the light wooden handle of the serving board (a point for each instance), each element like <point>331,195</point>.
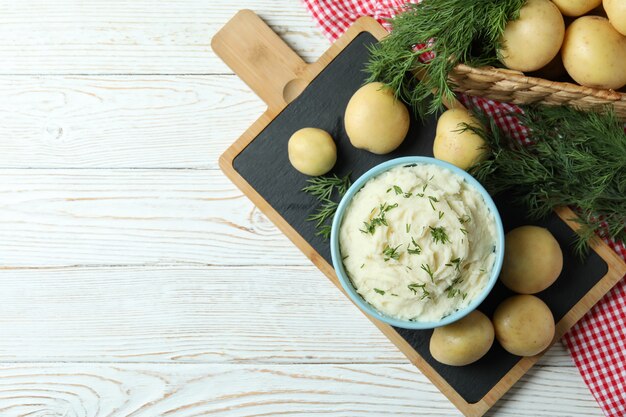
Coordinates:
<point>261,59</point>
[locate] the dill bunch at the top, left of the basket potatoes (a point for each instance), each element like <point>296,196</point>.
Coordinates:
<point>456,31</point>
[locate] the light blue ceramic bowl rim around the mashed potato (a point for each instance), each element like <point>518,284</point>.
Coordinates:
<point>347,283</point>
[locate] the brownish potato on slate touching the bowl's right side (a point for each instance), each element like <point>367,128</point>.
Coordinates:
<point>532,260</point>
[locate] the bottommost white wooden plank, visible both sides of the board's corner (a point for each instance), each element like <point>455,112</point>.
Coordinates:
<point>142,390</point>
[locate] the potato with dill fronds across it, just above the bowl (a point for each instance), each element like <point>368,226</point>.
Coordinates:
<point>462,149</point>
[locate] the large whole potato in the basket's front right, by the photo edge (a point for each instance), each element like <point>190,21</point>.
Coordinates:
<point>594,53</point>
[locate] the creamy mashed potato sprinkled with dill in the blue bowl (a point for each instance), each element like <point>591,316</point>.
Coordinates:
<point>418,242</point>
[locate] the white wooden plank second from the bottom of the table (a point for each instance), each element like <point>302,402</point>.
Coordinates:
<point>188,314</point>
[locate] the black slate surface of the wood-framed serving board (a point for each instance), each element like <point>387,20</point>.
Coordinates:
<point>265,166</point>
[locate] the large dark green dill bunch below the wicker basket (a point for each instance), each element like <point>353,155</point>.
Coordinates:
<point>576,159</point>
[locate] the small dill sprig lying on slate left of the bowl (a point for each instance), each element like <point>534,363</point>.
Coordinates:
<point>324,188</point>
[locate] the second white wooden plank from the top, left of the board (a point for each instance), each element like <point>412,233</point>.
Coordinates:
<point>121,121</point>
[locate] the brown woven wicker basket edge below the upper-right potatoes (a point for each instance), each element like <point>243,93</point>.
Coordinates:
<point>515,87</point>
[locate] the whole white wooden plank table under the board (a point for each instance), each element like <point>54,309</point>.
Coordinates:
<point>135,278</point>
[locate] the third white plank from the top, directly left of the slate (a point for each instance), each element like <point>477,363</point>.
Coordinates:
<point>70,217</point>
